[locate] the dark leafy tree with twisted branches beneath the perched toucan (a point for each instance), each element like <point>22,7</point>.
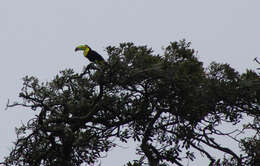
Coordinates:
<point>168,103</point>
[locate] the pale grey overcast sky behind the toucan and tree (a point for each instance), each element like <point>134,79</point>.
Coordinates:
<point>37,38</point>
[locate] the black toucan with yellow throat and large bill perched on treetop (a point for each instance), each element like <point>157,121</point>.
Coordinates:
<point>91,55</point>
